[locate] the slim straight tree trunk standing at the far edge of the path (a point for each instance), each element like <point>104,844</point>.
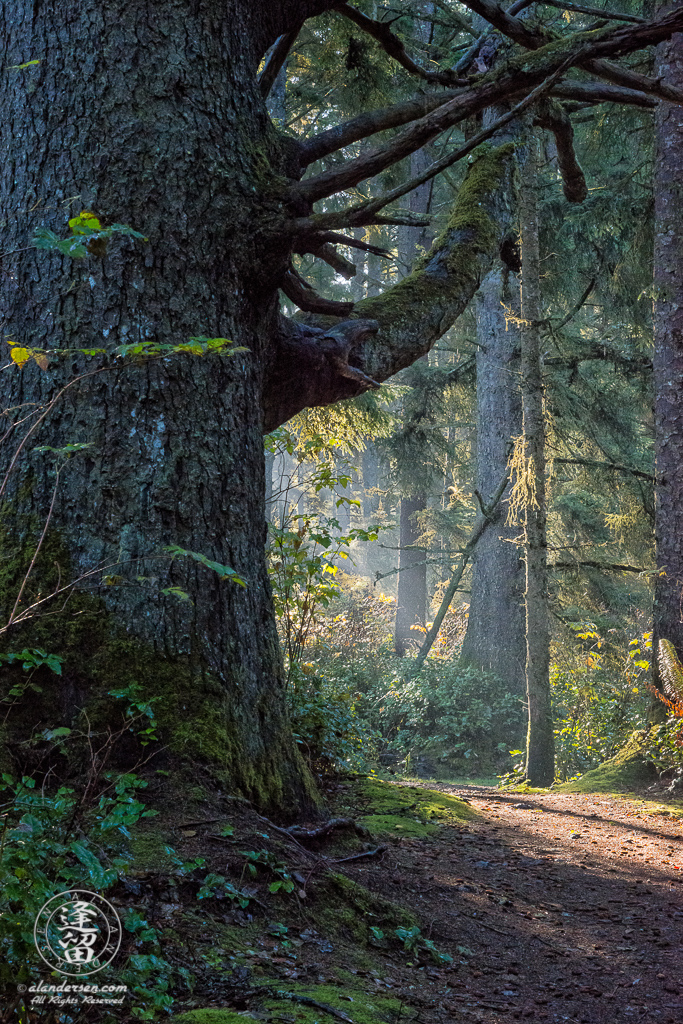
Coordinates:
<point>540,741</point>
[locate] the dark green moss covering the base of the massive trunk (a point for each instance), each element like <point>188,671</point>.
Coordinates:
<point>198,716</point>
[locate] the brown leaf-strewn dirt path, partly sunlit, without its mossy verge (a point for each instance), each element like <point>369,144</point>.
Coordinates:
<point>557,908</point>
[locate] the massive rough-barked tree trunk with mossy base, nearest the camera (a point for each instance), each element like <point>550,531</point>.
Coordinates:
<point>151,117</point>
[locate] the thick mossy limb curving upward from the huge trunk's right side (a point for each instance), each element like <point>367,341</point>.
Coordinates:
<point>411,317</point>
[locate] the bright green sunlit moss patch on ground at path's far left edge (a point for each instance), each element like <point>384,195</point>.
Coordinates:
<point>408,810</point>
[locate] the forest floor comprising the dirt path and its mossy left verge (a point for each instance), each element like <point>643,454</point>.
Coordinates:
<point>553,907</point>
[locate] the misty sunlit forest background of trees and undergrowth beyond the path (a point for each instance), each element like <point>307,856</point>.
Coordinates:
<point>403,463</point>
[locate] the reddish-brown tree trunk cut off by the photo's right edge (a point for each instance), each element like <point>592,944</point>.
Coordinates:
<point>669,355</point>
